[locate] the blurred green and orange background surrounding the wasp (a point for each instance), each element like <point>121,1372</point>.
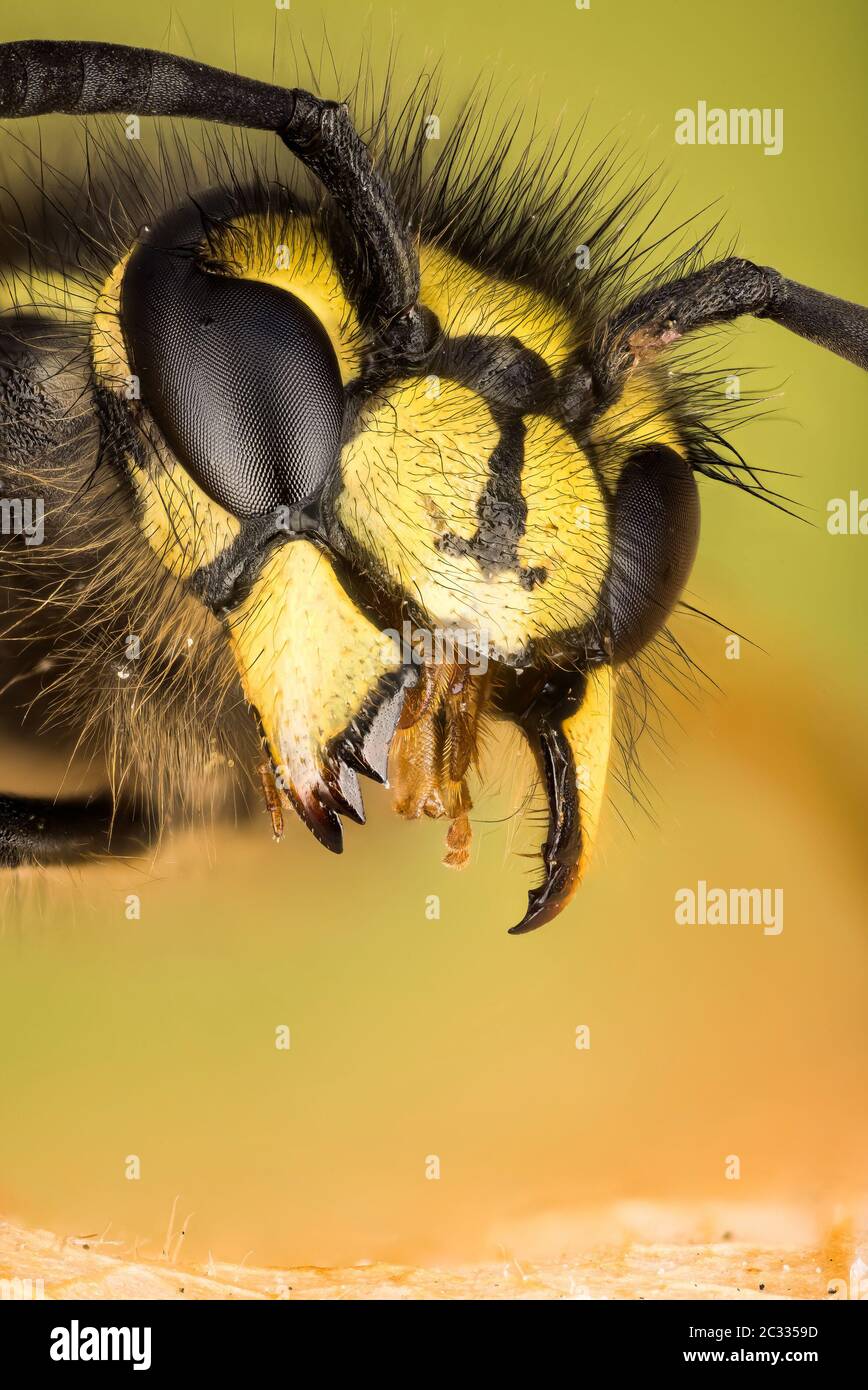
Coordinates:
<point>415,1038</point>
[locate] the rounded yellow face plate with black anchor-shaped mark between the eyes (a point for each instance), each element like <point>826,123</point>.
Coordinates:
<point>414,486</point>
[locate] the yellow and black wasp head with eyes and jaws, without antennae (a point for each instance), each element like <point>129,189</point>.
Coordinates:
<point>403,553</point>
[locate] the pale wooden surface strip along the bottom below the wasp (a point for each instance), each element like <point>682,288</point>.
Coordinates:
<point>80,1268</point>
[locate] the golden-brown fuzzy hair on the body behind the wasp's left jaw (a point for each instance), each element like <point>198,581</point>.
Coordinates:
<point>77,603</point>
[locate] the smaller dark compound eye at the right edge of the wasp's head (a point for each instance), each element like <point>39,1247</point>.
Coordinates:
<point>654,541</point>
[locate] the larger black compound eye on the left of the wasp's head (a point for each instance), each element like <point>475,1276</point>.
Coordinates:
<point>240,377</point>
